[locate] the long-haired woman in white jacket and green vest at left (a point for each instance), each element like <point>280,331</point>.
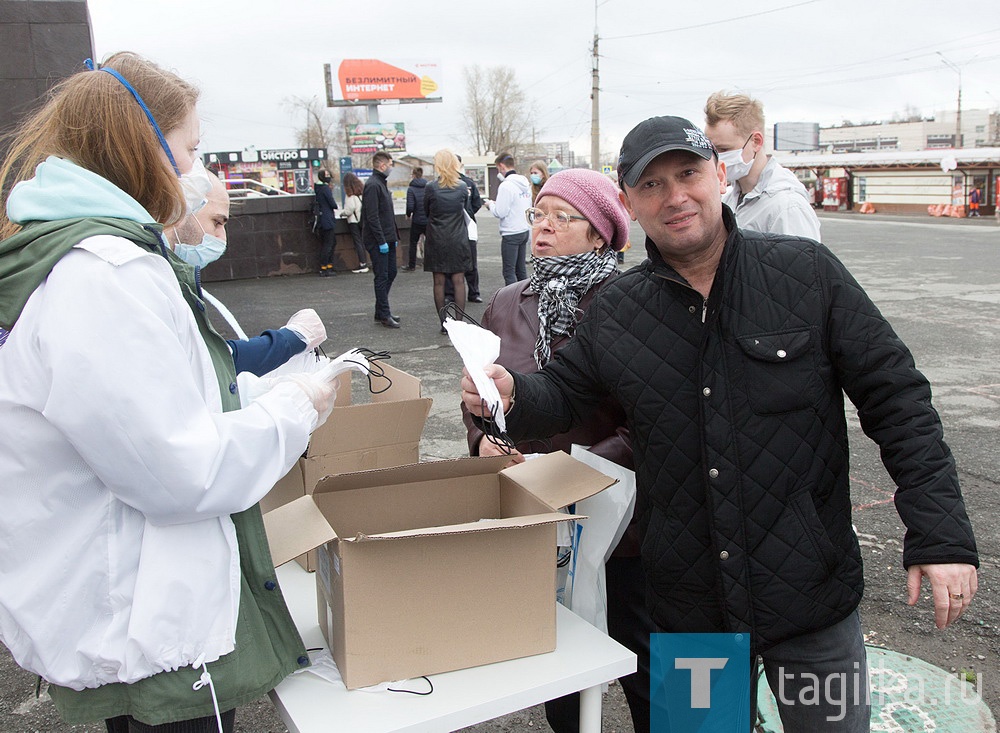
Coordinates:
<point>135,576</point>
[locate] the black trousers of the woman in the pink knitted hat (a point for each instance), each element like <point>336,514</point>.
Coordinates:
<point>630,625</point>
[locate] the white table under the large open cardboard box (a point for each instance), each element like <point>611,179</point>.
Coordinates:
<point>583,661</point>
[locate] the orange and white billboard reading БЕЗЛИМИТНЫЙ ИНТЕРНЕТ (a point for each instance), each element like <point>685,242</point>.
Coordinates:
<point>372,80</point>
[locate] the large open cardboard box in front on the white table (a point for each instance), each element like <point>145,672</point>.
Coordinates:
<point>437,566</point>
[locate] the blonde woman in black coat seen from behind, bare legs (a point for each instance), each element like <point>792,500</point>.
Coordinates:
<point>446,243</point>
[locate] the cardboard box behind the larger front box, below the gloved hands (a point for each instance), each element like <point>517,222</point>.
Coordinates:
<point>382,433</point>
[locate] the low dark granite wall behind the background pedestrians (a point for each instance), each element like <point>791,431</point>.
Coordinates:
<point>270,236</point>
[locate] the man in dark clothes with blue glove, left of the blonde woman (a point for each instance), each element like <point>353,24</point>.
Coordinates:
<point>378,234</point>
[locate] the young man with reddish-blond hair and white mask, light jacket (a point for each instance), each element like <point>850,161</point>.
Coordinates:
<point>764,195</point>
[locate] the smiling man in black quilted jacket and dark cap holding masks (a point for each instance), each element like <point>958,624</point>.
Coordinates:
<point>730,352</point>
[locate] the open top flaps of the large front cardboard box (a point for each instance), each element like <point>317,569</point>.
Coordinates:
<point>555,478</point>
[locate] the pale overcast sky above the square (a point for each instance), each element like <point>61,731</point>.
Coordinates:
<point>807,60</point>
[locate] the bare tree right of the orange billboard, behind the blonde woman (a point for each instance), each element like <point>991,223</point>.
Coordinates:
<point>496,110</point>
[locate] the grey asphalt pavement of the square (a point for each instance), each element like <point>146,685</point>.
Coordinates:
<point>938,282</point>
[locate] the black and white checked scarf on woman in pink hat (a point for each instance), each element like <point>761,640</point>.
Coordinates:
<point>560,283</point>
